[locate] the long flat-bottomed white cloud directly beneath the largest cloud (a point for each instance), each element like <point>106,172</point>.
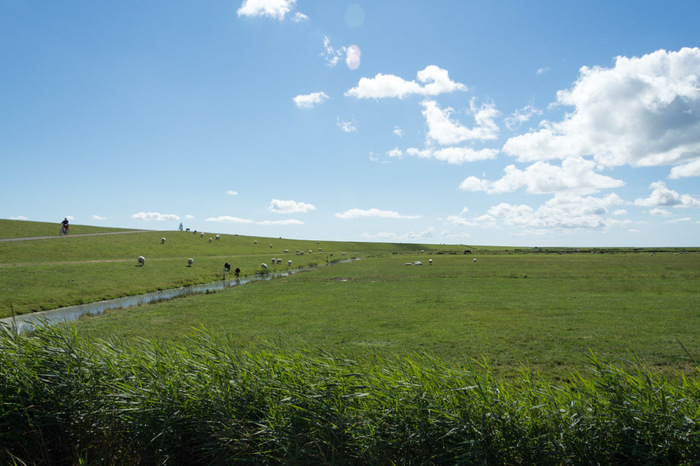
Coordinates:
<point>576,175</point>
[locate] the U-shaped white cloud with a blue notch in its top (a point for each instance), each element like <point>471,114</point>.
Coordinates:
<point>443,130</point>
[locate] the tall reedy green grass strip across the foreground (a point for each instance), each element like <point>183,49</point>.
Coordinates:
<point>65,399</point>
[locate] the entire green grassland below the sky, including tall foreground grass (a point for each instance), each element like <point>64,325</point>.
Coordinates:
<point>524,356</point>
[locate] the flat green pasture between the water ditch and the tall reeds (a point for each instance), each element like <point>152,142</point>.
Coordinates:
<point>544,311</point>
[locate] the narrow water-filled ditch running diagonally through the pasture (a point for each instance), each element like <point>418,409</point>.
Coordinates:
<point>27,322</point>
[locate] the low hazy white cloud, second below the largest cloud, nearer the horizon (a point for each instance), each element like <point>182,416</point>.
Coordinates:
<point>562,212</point>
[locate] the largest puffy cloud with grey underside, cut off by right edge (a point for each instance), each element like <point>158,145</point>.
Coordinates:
<point>645,111</point>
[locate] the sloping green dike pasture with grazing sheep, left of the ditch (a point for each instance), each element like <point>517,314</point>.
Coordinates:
<point>42,274</point>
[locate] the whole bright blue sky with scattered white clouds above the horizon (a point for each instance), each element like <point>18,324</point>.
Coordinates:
<point>523,123</point>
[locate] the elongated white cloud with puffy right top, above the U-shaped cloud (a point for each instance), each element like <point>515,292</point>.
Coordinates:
<point>434,79</point>
